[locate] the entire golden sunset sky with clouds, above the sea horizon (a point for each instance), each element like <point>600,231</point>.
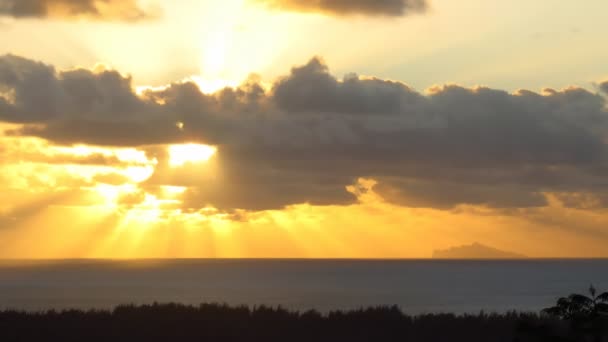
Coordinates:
<point>302,129</point>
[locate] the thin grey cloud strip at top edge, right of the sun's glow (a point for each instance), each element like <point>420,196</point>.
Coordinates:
<point>350,7</point>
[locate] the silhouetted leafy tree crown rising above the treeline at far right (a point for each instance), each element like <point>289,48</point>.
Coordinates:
<point>578,306</point>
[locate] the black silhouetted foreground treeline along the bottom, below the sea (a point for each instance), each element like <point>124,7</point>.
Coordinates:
<point>575,318</point>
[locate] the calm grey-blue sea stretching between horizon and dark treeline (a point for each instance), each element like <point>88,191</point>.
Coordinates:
<point>416,286</point>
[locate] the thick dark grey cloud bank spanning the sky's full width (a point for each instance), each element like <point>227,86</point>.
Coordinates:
<point>312,135</point>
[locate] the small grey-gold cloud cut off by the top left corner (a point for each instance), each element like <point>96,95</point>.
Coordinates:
<point>123,10</point>
